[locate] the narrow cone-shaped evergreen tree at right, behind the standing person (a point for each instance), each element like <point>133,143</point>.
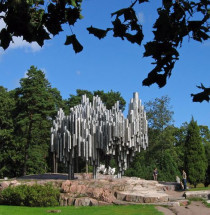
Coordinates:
<point>195,160</point>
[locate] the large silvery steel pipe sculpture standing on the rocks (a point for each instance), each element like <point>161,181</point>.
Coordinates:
<point>95,134</point>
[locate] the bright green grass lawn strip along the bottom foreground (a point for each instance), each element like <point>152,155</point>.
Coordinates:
<point>95,210</point>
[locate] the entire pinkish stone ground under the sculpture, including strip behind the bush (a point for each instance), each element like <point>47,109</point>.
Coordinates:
<point>106,190</point>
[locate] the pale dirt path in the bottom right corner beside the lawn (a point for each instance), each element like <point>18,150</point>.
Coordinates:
<point>195,208</point>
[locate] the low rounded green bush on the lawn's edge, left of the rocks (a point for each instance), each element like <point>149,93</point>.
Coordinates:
<point>34,196</point>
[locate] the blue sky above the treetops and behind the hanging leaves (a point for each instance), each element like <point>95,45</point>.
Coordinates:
<point>112,64</point>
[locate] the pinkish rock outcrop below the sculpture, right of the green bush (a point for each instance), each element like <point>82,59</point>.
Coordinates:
<point>112,191</point>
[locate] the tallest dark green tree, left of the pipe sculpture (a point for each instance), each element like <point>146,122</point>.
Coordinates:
<point>35,108</point>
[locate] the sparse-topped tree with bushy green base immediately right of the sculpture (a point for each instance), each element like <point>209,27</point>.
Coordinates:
<point>161,152</point>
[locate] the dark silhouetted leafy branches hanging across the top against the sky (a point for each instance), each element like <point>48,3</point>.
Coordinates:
<point>36,20</point>
